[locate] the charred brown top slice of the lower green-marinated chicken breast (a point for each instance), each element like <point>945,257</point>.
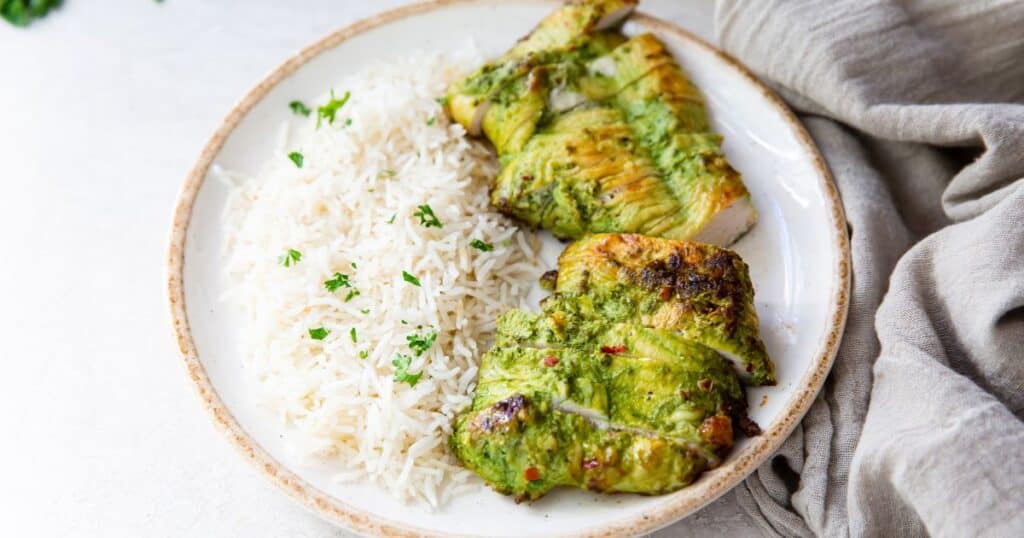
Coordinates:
<point>702,292</point>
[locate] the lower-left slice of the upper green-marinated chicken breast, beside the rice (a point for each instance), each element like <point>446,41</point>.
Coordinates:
<point>585,174</point>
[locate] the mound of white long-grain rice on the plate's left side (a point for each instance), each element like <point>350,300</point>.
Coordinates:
<point>335,212</point>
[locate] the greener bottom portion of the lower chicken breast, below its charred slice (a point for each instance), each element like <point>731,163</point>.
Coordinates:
<point>644,420</point>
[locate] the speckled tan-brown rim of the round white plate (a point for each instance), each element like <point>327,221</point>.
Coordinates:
<point>679,505</point>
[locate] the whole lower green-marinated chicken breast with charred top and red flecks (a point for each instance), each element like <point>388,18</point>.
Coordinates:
<point>625,382</point>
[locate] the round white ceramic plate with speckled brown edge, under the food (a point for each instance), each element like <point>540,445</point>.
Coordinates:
<point>798,255</point>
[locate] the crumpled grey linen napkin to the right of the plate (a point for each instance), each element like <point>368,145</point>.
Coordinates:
<point>919,109</point>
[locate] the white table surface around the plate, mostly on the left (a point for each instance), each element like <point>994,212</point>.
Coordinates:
<point>104,107</point>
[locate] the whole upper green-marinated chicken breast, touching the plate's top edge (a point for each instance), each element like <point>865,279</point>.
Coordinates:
<point>598,134</point>
